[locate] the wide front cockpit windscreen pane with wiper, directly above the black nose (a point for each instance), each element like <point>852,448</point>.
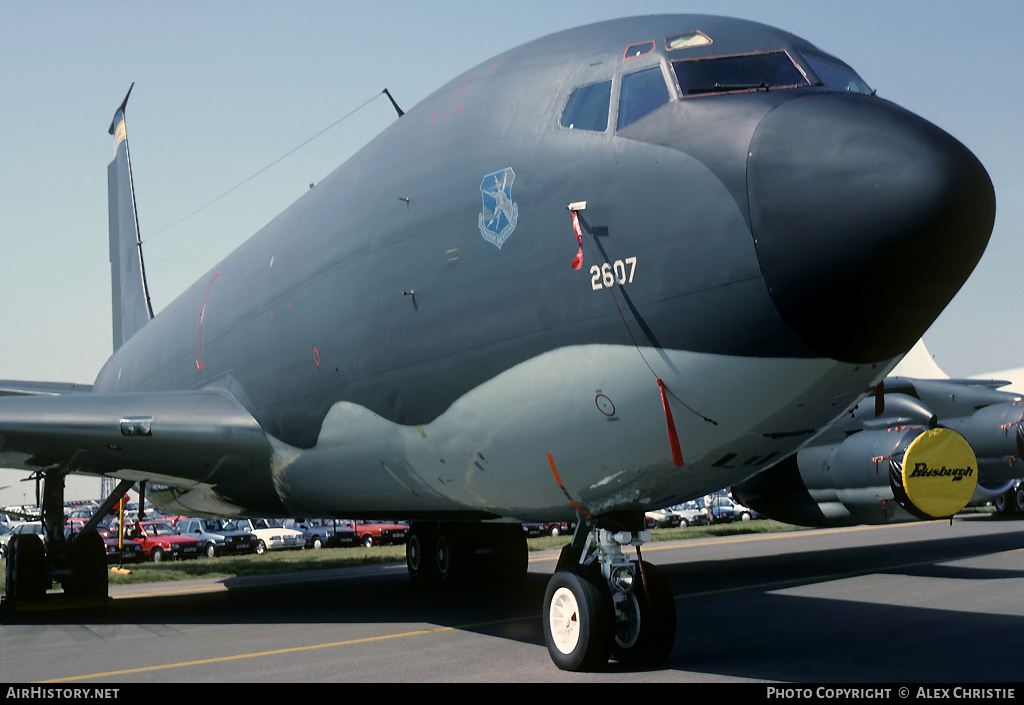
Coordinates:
<point>739,73</point>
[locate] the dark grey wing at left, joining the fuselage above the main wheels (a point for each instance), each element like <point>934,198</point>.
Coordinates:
<point>185,440</point>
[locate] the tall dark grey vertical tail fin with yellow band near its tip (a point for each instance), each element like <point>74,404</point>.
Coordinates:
<point>131,297</point>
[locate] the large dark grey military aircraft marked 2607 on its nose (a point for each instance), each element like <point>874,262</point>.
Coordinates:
<point>613,270</point>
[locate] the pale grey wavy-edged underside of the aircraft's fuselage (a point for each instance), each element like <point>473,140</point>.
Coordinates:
<point>595,410</point>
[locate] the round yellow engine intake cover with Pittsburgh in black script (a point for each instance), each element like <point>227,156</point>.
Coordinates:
<point>941,473</point>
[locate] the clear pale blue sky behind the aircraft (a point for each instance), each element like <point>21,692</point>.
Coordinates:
<point>224,89</point>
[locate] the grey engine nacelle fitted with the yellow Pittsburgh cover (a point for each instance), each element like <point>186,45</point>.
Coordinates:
<point>873,477</point>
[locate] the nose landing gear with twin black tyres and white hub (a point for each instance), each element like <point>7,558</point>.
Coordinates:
<point>601,604</point>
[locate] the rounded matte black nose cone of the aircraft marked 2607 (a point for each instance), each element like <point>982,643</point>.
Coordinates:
<point>867,221</point>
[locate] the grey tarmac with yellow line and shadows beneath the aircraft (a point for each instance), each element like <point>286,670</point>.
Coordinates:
<point>934,602</point>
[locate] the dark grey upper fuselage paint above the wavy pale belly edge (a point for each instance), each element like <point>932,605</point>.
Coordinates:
<point>337,284</point>
